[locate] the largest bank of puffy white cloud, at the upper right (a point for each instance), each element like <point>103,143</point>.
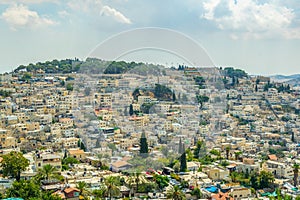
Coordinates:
<point>248,18</point>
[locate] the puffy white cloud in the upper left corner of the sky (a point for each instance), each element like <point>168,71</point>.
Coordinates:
<point>18,16</point>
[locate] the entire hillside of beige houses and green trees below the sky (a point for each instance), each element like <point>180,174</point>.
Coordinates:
<point>98,129</point>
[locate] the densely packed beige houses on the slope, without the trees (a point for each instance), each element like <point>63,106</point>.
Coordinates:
<point>47,120</point>
